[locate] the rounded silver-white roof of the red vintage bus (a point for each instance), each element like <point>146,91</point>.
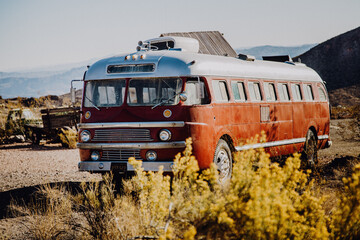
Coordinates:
<point>177,63</point>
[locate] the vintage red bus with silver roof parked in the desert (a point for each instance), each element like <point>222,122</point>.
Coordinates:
<point>145,104</point>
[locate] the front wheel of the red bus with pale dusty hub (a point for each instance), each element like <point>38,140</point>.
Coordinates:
<point>223,160</point>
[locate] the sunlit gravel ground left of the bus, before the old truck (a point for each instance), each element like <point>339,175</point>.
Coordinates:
<point>24,165</point>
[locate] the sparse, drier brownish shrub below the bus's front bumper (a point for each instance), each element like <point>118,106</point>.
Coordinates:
<point>104,216</point>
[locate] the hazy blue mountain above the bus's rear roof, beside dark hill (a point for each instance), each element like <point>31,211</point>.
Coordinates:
<point>269,50</point>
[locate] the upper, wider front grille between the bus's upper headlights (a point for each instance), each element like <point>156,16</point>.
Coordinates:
<point>122,135</point>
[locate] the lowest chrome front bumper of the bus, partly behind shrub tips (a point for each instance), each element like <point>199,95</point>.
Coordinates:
<point>102,166</point>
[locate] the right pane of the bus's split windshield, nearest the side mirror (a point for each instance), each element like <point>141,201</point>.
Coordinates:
<point>152,91</point>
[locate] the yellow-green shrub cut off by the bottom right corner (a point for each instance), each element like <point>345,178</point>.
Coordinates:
<point>346,219</point>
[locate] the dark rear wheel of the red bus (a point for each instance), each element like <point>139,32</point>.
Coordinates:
<point>309,155</point>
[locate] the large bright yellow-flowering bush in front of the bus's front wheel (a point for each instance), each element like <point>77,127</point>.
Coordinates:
<point>261,201</point>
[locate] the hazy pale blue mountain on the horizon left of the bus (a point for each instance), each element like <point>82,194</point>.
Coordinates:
<point>36,84</point>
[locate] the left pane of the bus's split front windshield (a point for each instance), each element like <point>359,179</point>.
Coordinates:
<point>105,93</point>
